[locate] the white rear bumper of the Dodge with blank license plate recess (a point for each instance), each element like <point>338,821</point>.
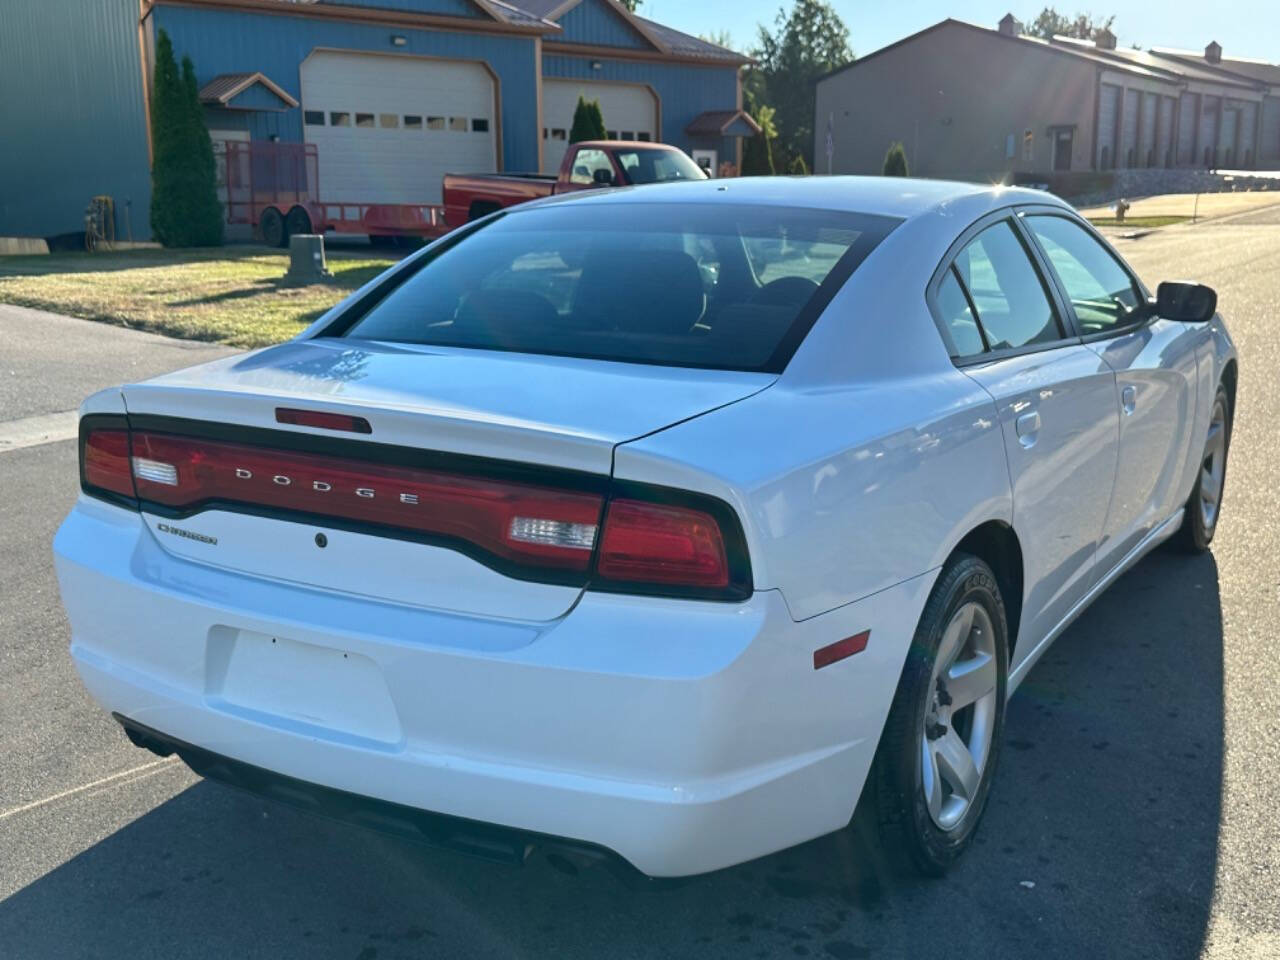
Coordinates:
<point>684,737</point>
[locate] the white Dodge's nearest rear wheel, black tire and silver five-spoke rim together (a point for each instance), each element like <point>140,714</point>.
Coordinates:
<point>938,756</point>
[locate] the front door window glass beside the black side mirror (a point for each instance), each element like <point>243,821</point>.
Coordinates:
<point>1103,292</point>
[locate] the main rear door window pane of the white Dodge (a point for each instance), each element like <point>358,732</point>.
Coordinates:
<point>1013,307</point>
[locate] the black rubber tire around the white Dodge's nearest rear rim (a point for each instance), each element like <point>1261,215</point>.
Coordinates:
<point>898,776</point>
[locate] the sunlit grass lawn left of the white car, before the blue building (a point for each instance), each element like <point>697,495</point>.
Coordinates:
<point>230,294</point>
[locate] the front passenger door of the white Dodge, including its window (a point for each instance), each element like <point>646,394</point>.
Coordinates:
<point>1155,367</point>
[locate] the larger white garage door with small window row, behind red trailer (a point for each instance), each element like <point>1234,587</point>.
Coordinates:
<point>388,129</point>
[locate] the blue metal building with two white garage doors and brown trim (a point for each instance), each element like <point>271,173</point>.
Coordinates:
<point>391,93</point>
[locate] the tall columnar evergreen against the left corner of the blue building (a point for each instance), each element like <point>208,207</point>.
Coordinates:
<point>185,211</point>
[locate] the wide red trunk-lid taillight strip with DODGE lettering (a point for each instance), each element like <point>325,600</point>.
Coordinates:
<point>515,522</point>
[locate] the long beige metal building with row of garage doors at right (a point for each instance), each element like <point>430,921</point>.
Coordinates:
<point>973,103</point>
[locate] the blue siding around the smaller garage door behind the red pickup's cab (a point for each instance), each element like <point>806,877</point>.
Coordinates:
<point>684,92</point>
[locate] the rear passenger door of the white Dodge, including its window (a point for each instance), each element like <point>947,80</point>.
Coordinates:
<point>1057,405</point>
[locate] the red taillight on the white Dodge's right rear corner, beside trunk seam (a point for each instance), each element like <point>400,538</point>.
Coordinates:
<point>656,543</point>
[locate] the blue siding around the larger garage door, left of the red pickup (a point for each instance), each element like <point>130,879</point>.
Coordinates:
<point>230,42</point>
